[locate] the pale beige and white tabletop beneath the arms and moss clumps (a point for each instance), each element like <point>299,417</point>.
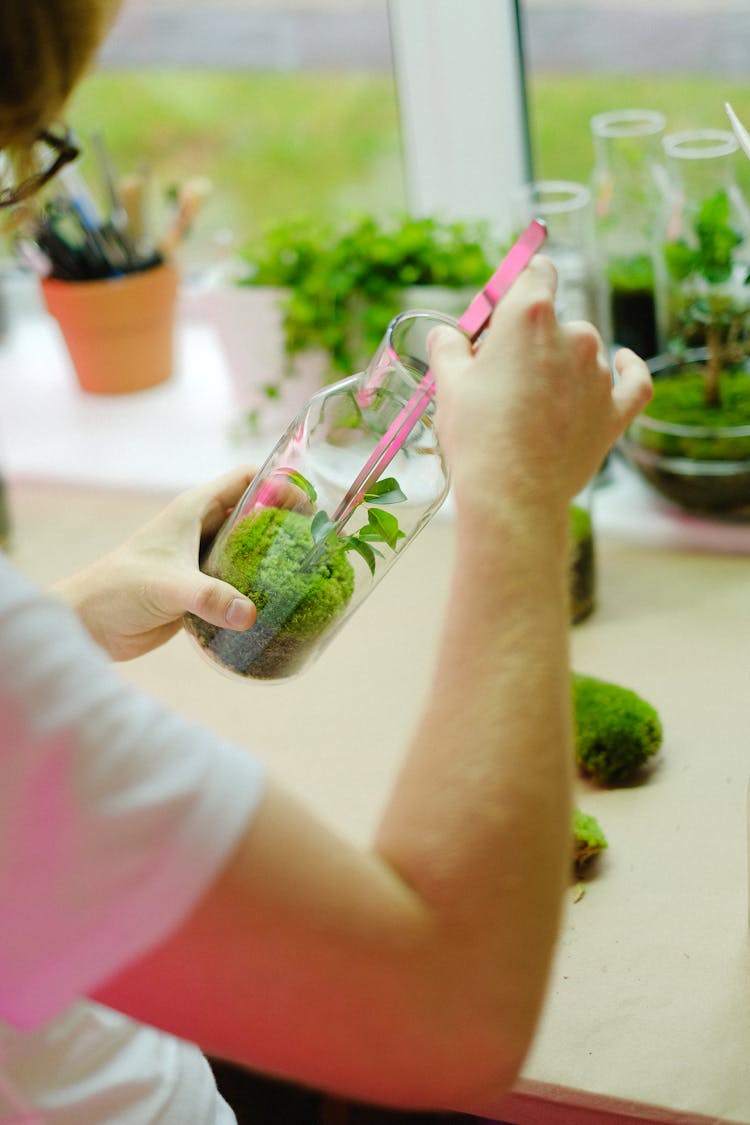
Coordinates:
<point>649,1006</point>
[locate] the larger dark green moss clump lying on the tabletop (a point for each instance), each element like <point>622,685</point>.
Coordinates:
<point>617,731</point>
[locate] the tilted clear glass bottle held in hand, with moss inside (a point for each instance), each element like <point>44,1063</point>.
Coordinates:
<point>313,536</point>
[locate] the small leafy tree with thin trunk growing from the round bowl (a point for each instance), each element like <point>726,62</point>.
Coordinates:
<point>708,311</point>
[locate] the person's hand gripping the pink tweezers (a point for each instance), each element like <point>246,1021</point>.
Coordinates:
<point>532,412</point>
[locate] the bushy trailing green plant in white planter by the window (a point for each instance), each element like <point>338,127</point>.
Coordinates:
<point>346,280</point>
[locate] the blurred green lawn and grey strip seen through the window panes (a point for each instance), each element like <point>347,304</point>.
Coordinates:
<point>293,110</point>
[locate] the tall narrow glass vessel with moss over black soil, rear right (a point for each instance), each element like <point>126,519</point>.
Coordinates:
<point>628,188</point>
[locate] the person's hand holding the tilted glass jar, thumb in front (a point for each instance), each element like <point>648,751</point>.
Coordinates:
<point>134,598</point>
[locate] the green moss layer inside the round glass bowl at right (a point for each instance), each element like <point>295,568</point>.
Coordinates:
<point>680,400</point>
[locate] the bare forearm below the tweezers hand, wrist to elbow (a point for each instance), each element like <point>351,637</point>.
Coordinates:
<point>480,822</point>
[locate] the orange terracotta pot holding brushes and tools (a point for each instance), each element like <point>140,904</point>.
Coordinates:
<point>120,332</point>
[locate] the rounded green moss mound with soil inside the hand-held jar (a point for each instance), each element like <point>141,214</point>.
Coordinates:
<point>264,557</point>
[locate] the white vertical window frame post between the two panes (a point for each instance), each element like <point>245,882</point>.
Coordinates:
<point>460,79</point>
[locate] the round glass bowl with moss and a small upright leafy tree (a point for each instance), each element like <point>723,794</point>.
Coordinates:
<point>693,440</point>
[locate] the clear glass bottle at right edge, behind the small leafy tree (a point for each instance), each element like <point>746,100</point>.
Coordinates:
<point>704,249</point>
